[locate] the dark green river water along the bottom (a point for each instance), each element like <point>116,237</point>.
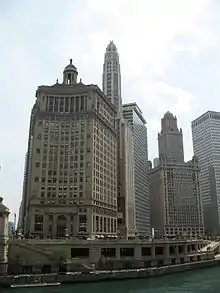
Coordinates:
<point>200,281</point>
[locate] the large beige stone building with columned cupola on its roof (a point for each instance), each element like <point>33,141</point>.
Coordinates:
<point>71,178</point>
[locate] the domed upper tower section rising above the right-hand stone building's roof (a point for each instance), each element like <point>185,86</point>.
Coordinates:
<point>170,140</point>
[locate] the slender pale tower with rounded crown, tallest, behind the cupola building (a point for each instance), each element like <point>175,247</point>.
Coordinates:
<point>111,79</point>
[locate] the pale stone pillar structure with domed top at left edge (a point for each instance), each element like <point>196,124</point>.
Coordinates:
<point>4,214</point>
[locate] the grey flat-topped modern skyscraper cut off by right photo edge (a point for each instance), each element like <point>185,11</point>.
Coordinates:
<point>206,141</point>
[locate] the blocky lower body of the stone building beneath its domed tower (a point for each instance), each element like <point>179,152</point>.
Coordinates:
<point>176,208</point>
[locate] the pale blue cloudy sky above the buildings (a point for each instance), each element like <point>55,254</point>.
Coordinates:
<point>169,55</point>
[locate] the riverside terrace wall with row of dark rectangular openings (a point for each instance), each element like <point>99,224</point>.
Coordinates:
<point>118,252</point>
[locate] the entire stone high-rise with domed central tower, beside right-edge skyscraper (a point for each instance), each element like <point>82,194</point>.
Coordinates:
<point>176,208</point>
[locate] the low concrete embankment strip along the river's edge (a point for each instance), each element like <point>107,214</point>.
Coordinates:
<point>97,276</point>
